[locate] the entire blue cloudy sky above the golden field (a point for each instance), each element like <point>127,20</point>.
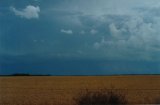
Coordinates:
<point>80,37</point>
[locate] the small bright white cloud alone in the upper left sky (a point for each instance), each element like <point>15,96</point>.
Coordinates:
<point>29,12</point>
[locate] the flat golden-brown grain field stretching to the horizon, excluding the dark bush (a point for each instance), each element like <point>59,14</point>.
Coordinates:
<point>60,90</point>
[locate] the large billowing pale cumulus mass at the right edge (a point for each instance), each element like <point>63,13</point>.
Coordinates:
<point>135,36</point>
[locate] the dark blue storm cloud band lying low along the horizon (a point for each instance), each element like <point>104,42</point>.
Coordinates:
<point>61,66</point>
